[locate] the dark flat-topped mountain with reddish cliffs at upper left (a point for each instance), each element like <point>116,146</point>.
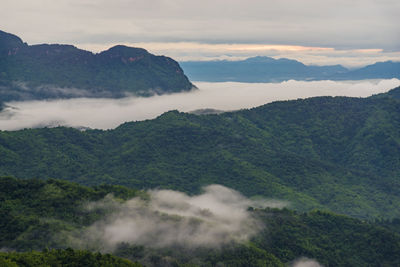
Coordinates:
<point>64,71</point>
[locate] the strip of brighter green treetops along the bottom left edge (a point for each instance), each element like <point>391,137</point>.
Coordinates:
<point>68,257</point>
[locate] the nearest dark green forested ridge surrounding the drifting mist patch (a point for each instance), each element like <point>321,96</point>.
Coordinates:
<point>37,214</point>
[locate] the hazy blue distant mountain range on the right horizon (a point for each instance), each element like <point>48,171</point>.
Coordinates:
<point>267,69</point>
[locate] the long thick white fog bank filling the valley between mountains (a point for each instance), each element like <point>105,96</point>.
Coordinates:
<point>106,113</point>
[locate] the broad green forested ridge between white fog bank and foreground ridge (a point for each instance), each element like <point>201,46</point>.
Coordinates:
<point>337,153</point>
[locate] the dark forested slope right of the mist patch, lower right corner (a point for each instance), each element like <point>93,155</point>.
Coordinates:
<point>334,240</point>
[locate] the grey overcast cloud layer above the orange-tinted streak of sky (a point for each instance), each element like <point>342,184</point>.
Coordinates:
<point>333,23</point>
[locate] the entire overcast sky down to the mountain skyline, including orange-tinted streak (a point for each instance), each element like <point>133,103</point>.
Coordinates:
<point>349,32</point>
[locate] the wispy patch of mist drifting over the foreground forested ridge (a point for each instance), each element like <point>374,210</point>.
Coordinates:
<point>216,217</point>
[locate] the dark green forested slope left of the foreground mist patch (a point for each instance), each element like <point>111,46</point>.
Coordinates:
<point>32,212</point>
